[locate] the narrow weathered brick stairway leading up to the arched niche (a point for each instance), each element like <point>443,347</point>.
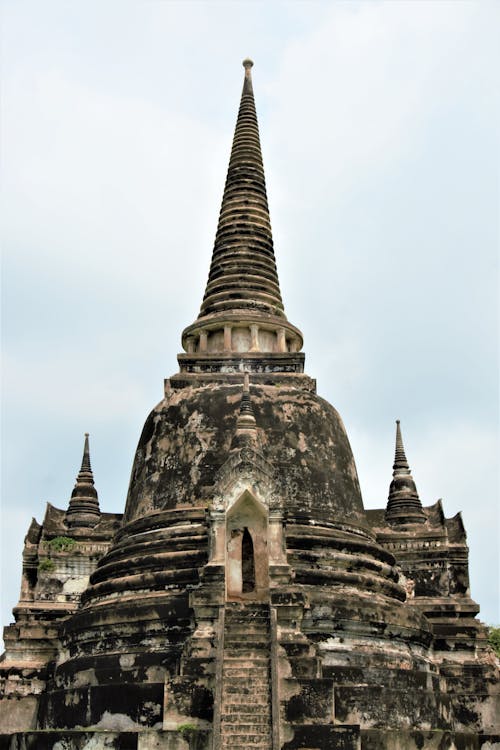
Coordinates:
<point>246,718</point>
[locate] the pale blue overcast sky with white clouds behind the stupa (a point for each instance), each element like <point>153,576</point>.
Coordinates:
<point>379,125</point>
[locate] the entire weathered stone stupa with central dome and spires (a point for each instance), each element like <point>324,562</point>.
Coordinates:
<point>245,598</point>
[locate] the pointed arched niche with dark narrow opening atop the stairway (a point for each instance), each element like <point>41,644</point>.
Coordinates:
<point>247,556</point>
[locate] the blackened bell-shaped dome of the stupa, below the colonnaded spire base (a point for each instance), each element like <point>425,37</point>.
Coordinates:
<point>187,437</point>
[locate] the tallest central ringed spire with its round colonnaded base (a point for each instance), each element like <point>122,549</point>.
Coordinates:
<point>242,311</point>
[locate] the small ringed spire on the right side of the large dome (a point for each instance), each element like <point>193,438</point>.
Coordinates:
<point>404,504</point>
